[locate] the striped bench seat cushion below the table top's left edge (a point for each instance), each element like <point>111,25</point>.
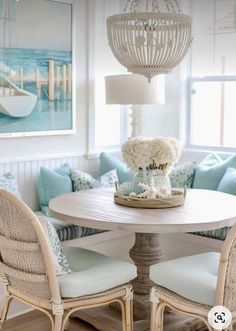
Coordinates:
<point>67,231</point>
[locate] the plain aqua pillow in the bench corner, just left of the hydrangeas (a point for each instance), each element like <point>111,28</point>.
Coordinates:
<point>108,163</point>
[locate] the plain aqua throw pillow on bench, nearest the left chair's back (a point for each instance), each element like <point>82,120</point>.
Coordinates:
<point>52,183</point>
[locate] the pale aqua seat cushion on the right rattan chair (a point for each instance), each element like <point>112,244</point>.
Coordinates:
<point>192,277</point>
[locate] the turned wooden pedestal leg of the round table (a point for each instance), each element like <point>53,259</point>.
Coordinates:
<point>145,252</point>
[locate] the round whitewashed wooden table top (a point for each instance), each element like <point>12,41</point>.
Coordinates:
<point>203,210</point>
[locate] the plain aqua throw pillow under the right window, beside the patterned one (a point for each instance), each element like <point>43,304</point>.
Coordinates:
<point>211,170</point>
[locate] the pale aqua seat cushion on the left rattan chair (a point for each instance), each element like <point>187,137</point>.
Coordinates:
<point>93,273</point>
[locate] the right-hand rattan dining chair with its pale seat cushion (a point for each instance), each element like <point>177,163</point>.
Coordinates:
<point>196,284</point>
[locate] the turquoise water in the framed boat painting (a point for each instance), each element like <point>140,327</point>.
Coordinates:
<point>46,115</point>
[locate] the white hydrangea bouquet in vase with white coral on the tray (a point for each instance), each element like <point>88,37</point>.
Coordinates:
<point>156,156</point>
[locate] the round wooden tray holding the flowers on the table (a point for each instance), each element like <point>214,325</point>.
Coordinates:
<point>177,199</point>
